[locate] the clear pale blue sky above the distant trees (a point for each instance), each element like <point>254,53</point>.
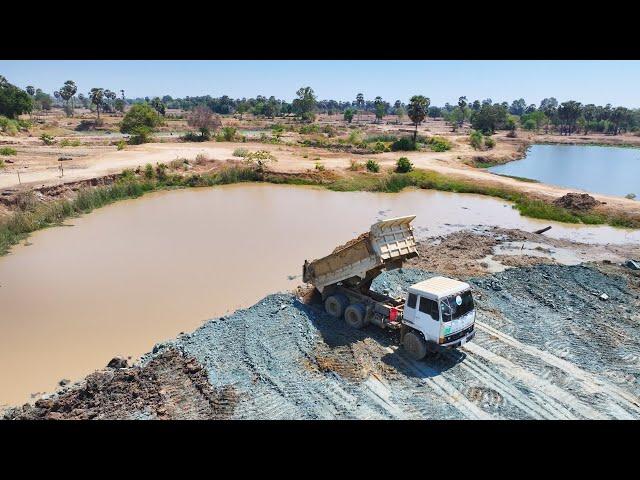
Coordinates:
<point>593,81</point>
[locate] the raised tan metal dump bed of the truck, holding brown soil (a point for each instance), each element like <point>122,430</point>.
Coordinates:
<point>356,263</point>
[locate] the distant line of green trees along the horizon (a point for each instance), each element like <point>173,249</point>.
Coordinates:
<point>564,118</point>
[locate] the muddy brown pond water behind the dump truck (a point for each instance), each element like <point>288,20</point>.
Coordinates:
<point>141,271</point>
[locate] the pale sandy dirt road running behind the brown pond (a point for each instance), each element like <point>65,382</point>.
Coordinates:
<point>107,160</point>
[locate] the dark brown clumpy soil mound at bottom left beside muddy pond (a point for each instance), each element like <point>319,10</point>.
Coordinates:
<point>170,386</point>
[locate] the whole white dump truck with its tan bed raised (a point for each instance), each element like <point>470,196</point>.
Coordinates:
<point>437,312</point>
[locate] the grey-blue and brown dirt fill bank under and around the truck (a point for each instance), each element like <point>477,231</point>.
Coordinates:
<point>554,341</point>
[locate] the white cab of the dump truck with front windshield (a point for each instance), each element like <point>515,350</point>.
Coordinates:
<point>442,310</point>
